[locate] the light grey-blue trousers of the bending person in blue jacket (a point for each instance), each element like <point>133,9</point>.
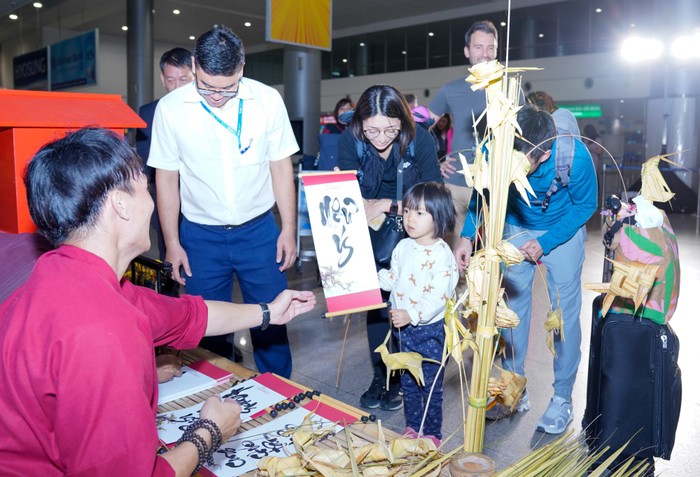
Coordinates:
<point>564,265</point>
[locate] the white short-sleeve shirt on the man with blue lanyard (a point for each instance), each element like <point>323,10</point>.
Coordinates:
<point>219,185</point>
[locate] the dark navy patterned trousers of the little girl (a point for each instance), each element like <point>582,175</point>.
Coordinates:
<point>427,340</point>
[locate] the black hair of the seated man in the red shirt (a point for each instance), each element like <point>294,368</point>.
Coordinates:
<point>68,180</point>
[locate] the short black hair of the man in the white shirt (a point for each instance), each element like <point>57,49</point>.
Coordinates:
<point>219,52</point>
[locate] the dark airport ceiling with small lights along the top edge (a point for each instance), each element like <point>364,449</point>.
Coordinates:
<point>198,16</point>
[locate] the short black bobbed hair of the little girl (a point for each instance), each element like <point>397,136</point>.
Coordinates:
<point>437,200</point>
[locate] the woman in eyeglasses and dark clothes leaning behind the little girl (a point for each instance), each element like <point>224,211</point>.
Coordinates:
<point>380,138</point>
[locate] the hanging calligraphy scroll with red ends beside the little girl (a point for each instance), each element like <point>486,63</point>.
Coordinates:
<point>342,243</point>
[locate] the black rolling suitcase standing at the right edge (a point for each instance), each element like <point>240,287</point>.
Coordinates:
<point>634,386</point>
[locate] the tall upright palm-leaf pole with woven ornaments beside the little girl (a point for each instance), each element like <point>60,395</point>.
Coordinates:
<point>485,273</point>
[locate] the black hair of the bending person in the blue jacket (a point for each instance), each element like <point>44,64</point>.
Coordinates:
<point>538,132</point>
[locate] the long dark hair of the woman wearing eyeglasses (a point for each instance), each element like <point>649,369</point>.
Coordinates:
<point>387,101</point>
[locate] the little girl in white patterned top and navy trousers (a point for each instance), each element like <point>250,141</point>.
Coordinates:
<point>422,277</point>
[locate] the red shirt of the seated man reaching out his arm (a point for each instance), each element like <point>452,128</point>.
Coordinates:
<point>78,382</point>
